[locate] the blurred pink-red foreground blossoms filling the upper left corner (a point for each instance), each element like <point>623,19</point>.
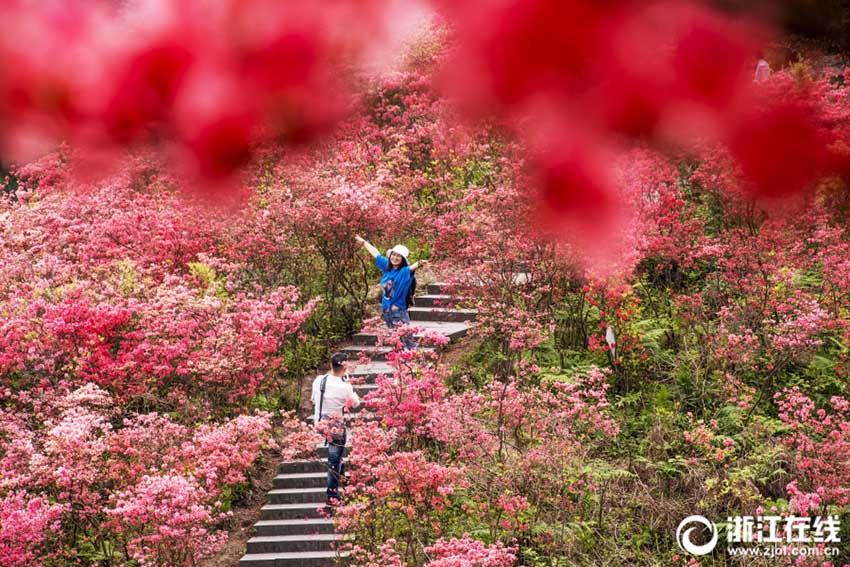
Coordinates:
<point>206,83</point>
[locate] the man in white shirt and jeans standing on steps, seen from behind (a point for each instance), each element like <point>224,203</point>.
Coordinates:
<point>338,397</point>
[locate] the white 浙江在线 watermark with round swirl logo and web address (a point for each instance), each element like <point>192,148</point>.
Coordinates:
<point>763,536</point>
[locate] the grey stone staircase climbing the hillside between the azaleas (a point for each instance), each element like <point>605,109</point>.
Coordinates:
<point>294,529</point>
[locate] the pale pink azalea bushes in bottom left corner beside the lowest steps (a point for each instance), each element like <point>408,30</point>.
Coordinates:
<point>149,489</point>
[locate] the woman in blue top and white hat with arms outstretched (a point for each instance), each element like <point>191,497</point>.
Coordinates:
<point>395,283</point>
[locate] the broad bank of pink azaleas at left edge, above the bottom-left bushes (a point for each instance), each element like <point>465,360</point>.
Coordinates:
<point>116,286</point>
